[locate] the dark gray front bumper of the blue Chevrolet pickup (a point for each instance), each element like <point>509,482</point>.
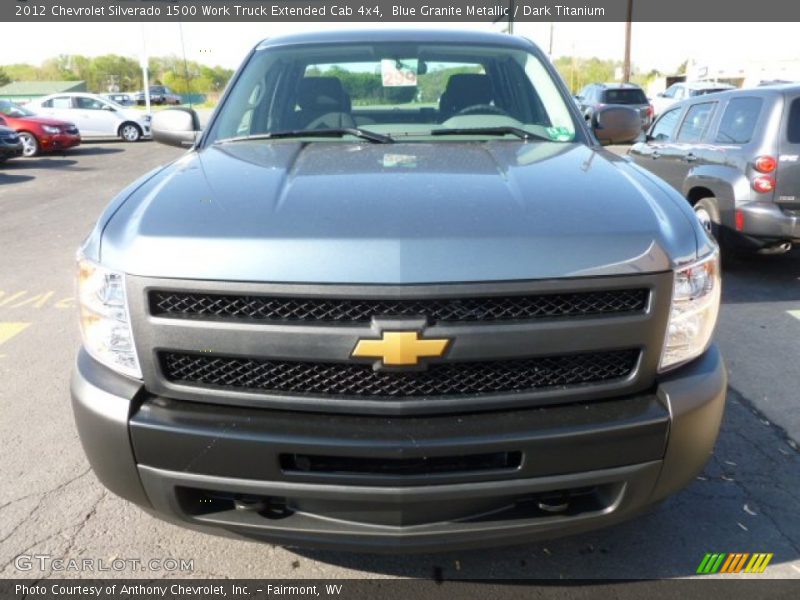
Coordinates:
<point>195,464</point>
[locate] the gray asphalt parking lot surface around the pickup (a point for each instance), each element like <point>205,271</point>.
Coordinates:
<point>747,500</point>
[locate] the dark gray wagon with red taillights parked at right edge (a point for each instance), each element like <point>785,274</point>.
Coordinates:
<point>735,157</point>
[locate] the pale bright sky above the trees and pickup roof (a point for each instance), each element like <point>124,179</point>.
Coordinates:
<point>663,46</point>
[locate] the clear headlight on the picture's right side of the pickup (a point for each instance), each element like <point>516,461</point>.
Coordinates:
<point>693,316</point>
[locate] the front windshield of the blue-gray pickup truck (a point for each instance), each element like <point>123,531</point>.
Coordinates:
<point>404,91</point>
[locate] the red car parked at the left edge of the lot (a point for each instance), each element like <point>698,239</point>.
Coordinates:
<point>38,134</point>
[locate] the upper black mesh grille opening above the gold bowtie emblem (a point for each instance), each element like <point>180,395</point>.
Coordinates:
<point>342,310</point>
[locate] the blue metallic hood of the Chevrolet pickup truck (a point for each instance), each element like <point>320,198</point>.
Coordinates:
<point>336,212</point>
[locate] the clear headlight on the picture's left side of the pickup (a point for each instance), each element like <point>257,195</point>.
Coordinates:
<point>105,325</point>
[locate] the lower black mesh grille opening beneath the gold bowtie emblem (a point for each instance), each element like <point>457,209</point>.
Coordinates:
<point>352,379</point>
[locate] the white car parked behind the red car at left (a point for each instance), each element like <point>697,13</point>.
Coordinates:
<point>94,115</point>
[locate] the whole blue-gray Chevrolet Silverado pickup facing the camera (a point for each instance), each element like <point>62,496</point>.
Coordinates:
<point>397,297</point>
